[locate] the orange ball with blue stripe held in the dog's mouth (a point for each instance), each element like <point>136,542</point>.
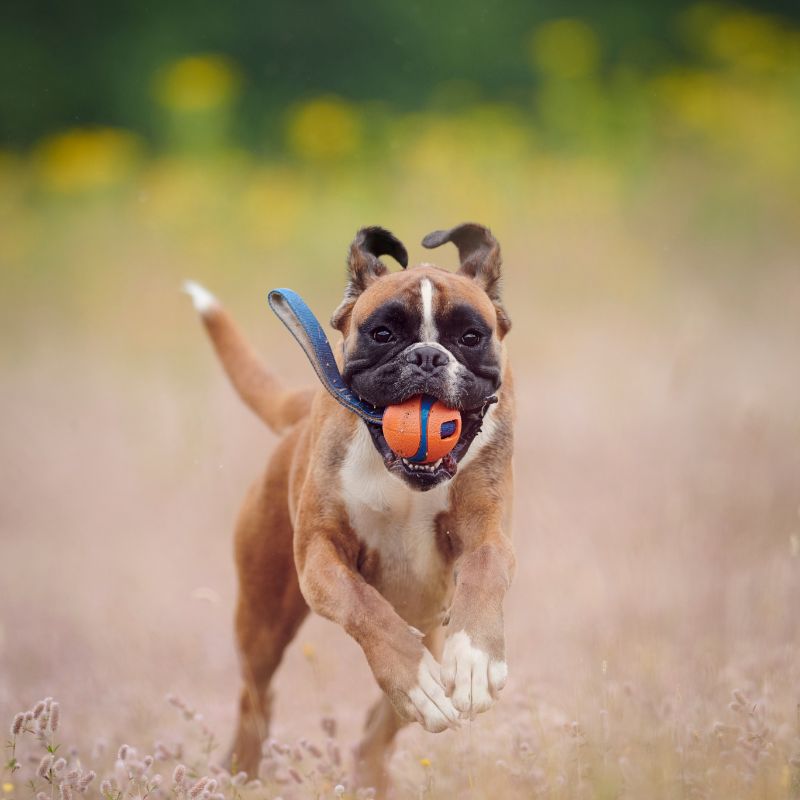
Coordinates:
<point>421,429</point>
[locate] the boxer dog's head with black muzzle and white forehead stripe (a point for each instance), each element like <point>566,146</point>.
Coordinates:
<point>424,331</point>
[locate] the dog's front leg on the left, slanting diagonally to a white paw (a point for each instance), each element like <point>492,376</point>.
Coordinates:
<point>404,669</point>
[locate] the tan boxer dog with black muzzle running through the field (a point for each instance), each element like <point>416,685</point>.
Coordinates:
<point>412,561</point>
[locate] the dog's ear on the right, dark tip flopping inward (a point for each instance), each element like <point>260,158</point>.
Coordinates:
<point>479,253</point>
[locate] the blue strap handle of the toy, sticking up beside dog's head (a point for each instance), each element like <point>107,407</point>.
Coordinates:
<point>293,312</point>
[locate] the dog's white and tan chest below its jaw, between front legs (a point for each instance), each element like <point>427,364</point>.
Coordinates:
<point>401,550</point>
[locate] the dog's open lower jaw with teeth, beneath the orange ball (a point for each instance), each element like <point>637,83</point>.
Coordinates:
<point>423,477</point>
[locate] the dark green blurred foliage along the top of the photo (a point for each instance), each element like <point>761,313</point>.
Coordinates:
<point>99,64</point>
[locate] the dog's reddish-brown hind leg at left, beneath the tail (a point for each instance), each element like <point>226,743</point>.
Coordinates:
<point>270,606</point>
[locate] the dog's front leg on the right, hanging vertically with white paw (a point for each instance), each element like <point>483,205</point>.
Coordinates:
<point>474,664</point>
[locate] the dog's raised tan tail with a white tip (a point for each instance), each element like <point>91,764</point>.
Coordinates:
<point>257,386</point>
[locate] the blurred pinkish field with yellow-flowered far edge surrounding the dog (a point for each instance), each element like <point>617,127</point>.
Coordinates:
<point>652,276</point>
